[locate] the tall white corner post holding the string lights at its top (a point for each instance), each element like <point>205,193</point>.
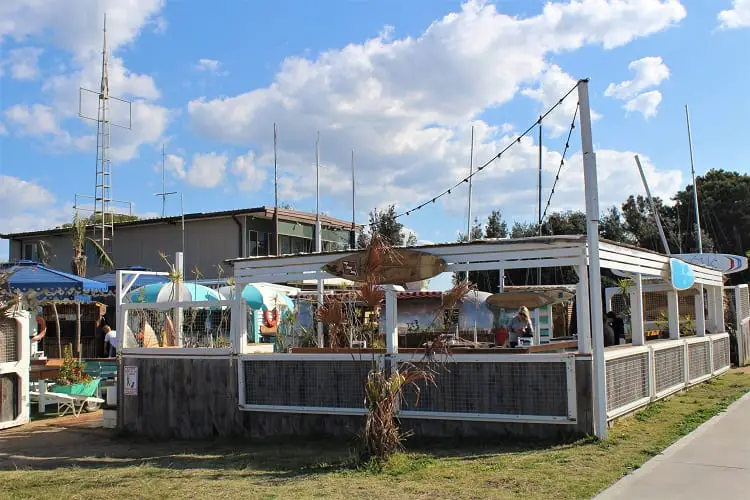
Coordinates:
<point>595,279</point>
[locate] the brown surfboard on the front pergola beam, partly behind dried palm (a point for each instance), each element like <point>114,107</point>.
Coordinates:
<point>398,266</point>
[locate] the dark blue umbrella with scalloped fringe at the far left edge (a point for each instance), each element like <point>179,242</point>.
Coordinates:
<point>48,284</point>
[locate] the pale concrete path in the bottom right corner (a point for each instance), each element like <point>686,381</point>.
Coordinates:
<point>711,463</point>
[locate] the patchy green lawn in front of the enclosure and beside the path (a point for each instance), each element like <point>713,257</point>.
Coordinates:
<point>123,468</point>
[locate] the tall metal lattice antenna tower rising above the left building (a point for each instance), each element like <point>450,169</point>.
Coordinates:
<point>104,217</point>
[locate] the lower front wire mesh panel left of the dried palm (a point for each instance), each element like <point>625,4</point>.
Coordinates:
<point>332,384</point>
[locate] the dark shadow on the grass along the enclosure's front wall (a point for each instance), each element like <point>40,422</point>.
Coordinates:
<point>49,448</point>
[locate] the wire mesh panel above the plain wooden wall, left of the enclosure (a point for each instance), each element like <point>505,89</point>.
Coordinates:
<point>149,327</point>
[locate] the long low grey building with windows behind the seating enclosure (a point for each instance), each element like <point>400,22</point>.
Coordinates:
<point>209,239</point>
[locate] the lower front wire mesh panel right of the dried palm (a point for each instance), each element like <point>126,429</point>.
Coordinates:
<point>494,388</point>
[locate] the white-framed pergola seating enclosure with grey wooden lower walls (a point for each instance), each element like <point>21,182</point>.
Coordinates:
<point>562,387</point>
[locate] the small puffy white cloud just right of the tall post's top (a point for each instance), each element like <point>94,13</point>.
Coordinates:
<point>649,72</point>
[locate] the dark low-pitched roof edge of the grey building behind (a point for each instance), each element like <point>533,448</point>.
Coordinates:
<point>259,212</point>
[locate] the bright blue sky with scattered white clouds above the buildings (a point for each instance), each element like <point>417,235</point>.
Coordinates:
<point>400,83</point>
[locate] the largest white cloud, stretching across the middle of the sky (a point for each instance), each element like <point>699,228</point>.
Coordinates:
<point>406,104</point>
